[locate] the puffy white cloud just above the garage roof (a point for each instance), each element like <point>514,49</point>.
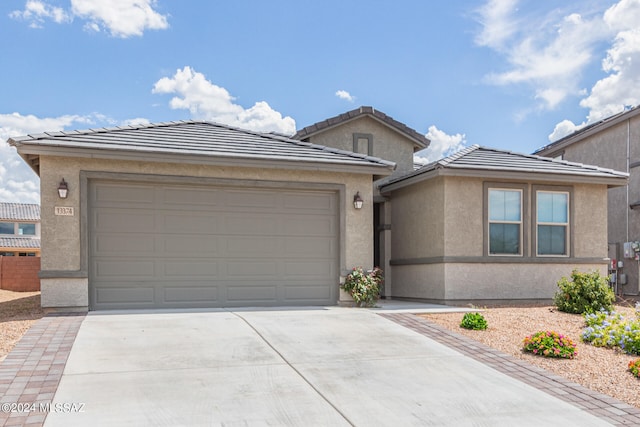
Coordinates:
<point>206,101</point>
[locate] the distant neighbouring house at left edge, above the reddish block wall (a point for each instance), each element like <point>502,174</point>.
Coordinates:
<point>19,229</point>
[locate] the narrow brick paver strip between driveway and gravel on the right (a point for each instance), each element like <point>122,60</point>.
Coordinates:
<point>606,407</point>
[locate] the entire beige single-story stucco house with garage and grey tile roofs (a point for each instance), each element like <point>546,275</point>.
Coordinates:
<point>198,214</point>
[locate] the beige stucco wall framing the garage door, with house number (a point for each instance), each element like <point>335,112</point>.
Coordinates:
<point>61,244</point>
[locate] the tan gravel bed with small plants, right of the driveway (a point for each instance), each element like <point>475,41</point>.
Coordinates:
<point>599,369</point>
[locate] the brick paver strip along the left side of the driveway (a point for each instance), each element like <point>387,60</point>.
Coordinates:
<point>31,372</point>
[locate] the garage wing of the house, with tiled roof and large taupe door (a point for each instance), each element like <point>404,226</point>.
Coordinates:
<point>197,214</point>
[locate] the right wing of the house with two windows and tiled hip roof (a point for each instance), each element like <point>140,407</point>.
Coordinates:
<point>487,225</point>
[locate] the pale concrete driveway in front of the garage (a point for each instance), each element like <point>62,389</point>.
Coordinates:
<point>305,367</point>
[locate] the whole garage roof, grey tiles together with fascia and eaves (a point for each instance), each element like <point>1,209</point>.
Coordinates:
<point>195,142</point>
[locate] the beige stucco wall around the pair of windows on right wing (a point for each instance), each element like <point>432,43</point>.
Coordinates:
<point>438,237</point>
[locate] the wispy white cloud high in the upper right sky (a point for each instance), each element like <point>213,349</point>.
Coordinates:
<point>548,52</point>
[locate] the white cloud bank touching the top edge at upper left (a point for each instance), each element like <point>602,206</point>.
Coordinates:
<point>121,18</point>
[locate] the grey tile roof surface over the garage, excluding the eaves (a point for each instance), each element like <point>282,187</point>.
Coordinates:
<point>199,138</point>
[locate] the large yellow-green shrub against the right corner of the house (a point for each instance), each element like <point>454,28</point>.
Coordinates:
<point>584,293</point>
